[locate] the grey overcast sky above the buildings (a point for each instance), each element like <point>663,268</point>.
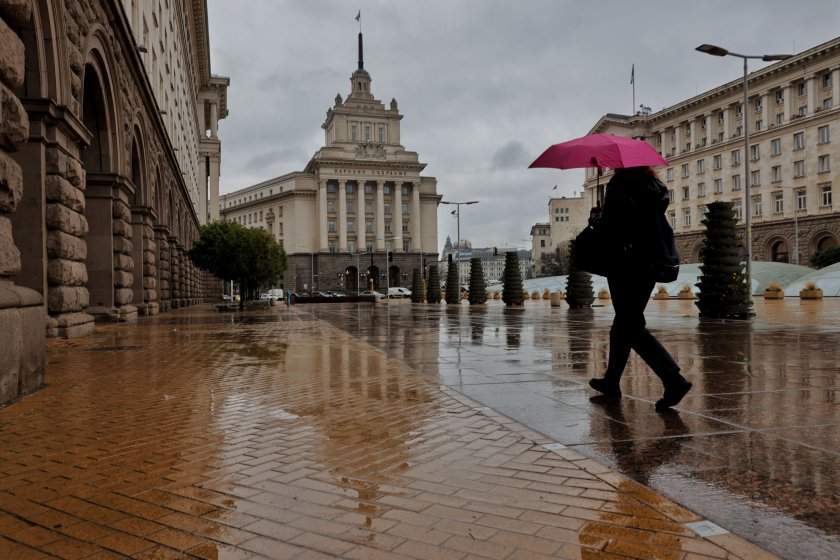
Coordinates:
<point>484,85</point>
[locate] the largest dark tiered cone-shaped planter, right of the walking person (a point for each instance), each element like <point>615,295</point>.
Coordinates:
<point>723,288</point>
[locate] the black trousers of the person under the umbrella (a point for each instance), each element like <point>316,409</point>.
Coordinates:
<point>630,295</point>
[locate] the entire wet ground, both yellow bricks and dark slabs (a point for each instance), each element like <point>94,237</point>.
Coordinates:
<point>401,431</point>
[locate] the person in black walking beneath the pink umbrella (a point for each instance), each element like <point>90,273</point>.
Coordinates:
<point>629,217</point>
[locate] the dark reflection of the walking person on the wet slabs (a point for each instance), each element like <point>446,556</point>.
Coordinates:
<point>638,456</point>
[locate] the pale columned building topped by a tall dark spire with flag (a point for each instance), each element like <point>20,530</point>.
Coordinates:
<point>360,214</point>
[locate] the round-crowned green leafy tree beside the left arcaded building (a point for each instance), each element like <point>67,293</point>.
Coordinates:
<point>231,251</point>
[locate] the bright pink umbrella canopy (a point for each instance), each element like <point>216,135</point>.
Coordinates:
<point>599,150</point>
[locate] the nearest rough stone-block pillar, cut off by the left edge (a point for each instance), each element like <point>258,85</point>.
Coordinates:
<point>22,309</point>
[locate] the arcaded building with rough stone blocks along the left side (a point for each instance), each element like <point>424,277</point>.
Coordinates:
<point>108,140</point>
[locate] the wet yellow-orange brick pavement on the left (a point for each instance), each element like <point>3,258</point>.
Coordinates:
<point>270,434</point>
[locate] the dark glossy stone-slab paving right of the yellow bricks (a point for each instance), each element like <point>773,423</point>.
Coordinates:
<point>754,447</point>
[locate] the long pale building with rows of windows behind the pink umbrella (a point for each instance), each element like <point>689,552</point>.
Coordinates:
<point>793,118</point>
